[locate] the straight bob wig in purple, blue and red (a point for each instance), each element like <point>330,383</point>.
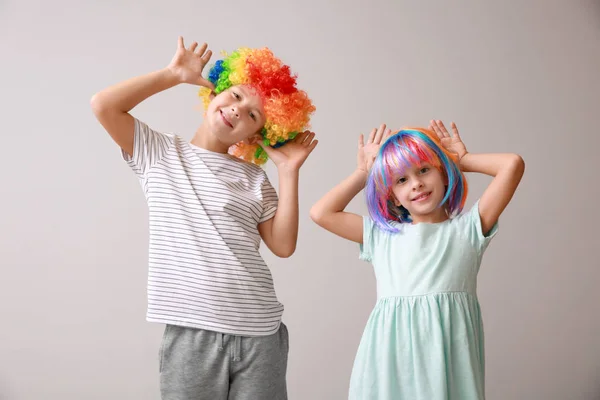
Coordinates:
<point>408,147</point>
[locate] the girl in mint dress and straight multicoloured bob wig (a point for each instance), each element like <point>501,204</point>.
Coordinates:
<point>424,338</point>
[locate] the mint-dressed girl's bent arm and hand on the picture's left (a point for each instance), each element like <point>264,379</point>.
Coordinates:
<point>329,211</point>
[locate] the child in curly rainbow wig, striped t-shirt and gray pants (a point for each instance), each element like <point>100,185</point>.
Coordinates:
<point>210,205</point>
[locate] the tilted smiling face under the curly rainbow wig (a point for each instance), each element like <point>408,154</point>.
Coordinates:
<point>235,115</point>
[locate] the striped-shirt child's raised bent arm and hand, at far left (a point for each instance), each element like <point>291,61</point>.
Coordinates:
<point>112,105</point>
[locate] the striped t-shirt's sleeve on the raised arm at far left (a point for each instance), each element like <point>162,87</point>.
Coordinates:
<point>149,147</point>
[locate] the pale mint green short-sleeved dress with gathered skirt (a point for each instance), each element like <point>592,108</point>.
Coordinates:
<point>424,338</point>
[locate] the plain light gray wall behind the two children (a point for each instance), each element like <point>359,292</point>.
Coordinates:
<point>517,76</point>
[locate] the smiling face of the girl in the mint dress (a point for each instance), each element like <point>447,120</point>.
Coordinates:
<point>420,190</point>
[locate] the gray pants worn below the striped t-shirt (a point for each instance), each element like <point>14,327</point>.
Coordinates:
<point>205,365</point>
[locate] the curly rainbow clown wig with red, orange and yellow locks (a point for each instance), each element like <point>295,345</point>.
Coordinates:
<point>287,109</point>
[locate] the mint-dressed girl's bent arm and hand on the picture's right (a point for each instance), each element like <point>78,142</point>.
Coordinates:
<point>507,170</point>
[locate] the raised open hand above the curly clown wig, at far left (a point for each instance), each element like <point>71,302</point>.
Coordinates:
<point>187,63</point>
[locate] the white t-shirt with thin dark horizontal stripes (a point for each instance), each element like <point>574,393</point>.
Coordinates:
<point>205,269</point>
